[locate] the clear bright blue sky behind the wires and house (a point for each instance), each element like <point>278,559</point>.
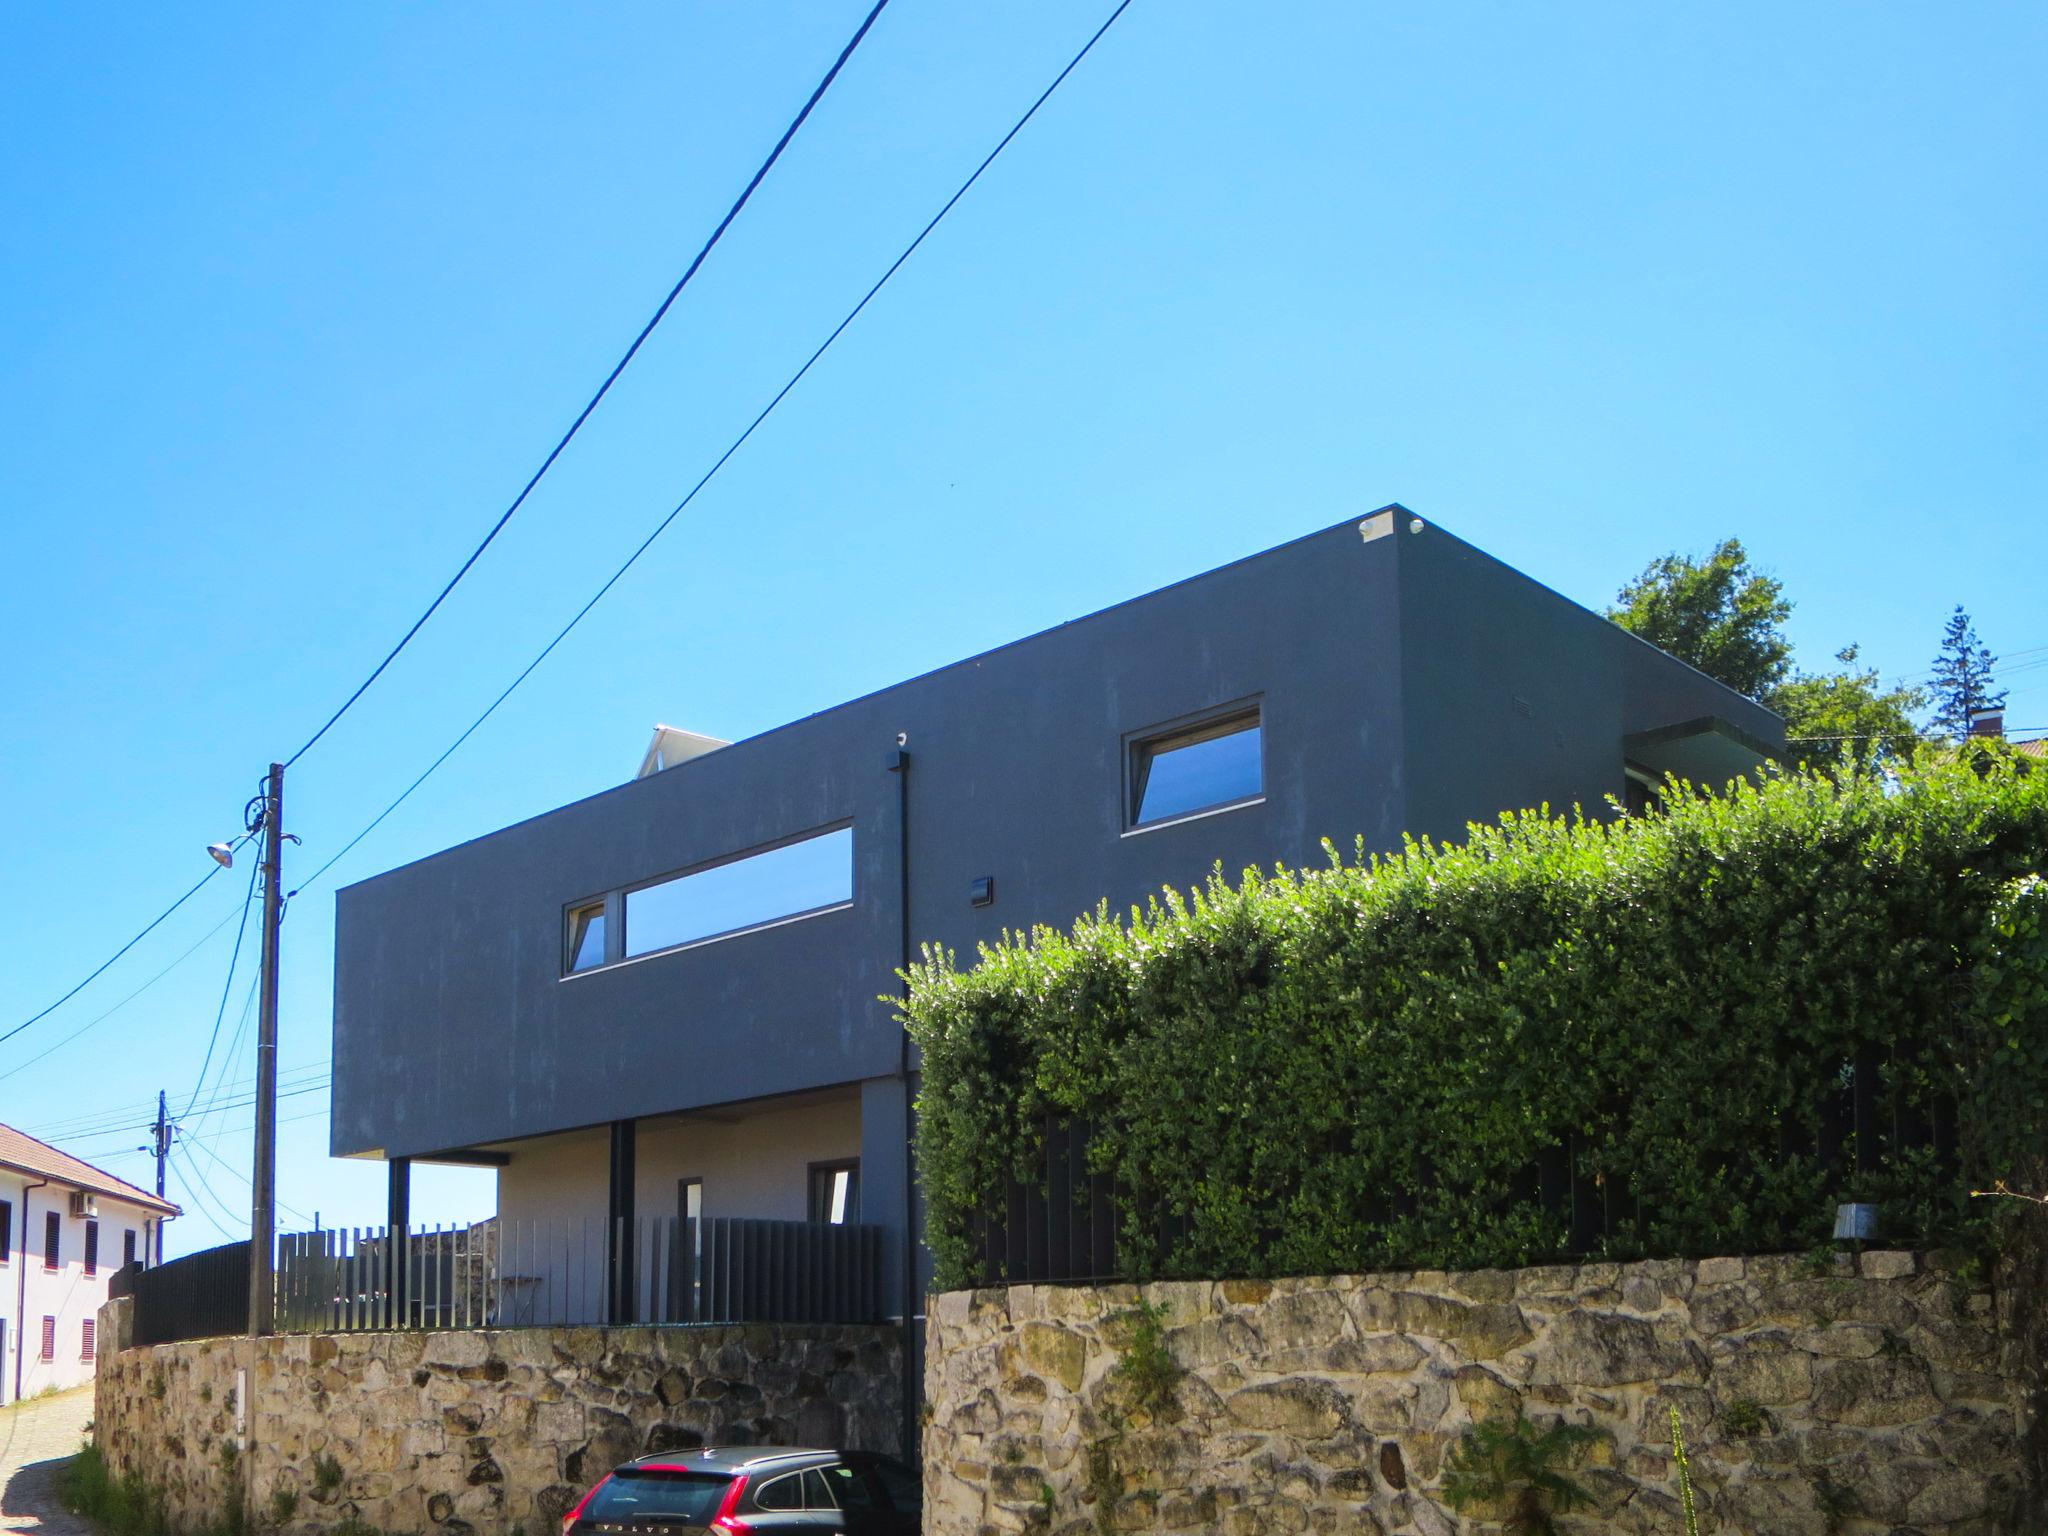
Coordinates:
<point>294,300</point>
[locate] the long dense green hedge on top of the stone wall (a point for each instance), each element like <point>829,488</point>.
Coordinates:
<point>1363,1066</point>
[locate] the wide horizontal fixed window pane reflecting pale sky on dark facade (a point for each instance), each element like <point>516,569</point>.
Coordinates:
<point>798,880</point>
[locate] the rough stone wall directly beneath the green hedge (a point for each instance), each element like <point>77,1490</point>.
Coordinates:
<point>1818,1402</point>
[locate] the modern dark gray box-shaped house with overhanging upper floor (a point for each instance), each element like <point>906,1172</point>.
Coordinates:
<point>665,1000</point>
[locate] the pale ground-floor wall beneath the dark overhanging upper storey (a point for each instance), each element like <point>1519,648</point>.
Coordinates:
<point>552,1197</point>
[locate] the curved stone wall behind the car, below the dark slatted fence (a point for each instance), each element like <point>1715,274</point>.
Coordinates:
<point>470,1433</point>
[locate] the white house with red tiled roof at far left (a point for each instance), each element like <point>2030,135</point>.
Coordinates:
<point>65,1230</point>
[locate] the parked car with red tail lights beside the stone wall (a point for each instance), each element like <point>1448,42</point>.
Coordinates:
<point>753,1488</point>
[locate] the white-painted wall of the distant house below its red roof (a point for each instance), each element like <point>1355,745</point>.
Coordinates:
<point>30,1291</point>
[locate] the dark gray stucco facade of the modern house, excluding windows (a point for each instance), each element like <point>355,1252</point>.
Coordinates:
<point>1406,685</point>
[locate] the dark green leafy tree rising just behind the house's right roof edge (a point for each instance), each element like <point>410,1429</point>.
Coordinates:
<point>1721,615</point>
